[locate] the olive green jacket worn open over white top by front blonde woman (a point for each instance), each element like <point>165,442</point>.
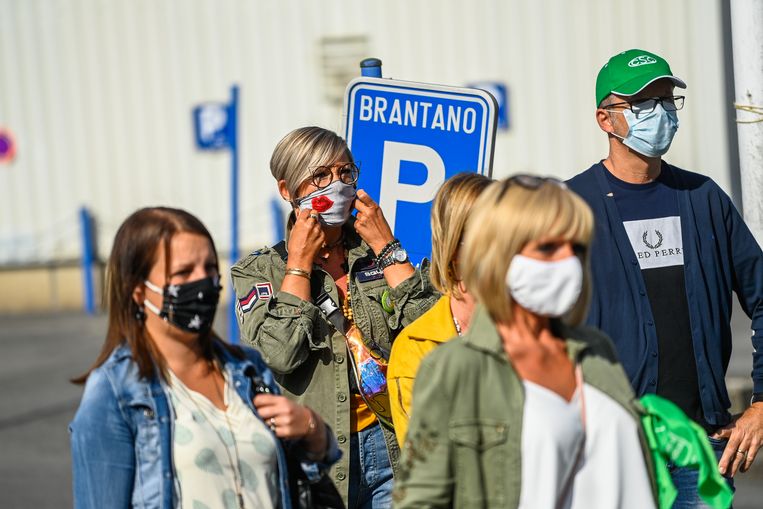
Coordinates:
<point>463,447</point>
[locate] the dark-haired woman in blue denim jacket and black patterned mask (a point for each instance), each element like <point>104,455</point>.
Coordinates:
<point>171,415</point>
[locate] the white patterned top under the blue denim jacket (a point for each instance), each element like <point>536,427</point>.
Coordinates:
<point>204,452</point>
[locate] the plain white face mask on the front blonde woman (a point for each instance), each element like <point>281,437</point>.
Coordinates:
<point>545,288</point>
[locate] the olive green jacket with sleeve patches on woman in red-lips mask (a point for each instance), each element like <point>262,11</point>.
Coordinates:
<point>307,355</point>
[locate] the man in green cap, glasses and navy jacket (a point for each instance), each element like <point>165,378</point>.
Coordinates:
<point>668,251</point>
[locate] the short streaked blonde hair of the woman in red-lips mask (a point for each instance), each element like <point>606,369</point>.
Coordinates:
<point>300,151</point>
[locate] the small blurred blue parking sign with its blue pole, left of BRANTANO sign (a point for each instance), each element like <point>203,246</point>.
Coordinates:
<point>216,128</point>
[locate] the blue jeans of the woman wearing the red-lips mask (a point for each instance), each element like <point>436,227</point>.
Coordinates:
<point>370,470</point>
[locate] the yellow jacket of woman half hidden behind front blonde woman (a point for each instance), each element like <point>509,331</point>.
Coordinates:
<point>412,344</point>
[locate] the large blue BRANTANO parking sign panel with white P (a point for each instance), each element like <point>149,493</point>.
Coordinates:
<point>408,138</point>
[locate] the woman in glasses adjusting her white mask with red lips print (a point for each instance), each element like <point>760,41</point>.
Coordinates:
<point>325,305</point>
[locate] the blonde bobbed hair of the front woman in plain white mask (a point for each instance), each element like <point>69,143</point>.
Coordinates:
<point>505,218</point>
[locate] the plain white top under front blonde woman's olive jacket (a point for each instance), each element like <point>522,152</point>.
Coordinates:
<point>610,473</point>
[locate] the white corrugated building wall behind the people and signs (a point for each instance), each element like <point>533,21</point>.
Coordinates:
<point>99,94</point>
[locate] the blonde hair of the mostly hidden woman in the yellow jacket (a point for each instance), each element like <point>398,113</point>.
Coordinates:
<point>450,210</point>
